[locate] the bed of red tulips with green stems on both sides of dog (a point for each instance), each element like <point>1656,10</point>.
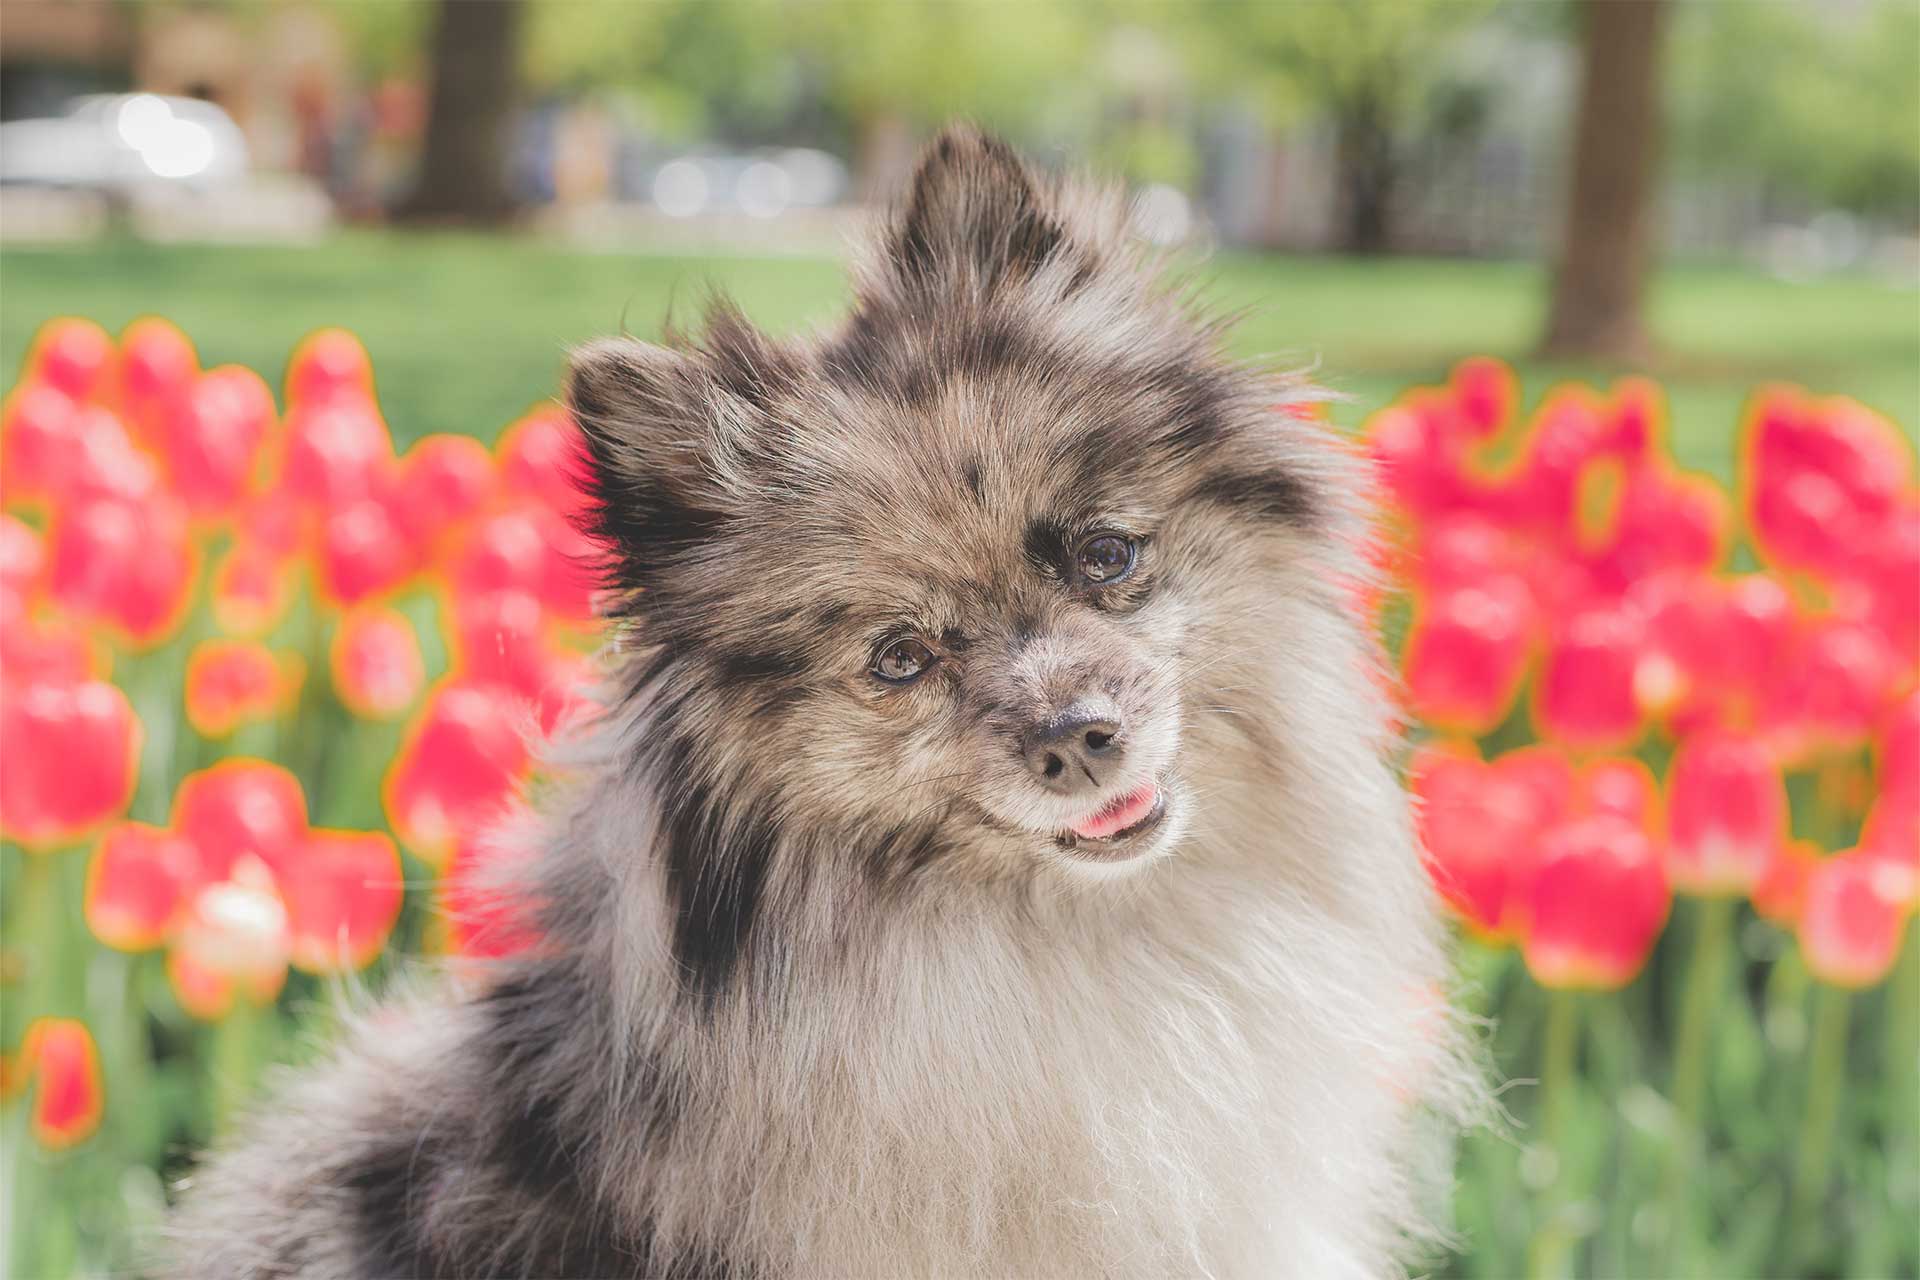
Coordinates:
<point>264,678</point>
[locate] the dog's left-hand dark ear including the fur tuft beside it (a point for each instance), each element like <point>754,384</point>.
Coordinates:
<point>671,435</point>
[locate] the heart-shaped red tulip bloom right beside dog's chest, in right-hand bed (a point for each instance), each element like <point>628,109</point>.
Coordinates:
<point>1481,826</point>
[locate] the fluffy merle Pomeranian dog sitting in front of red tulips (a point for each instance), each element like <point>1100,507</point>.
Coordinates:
<point>990,859</point>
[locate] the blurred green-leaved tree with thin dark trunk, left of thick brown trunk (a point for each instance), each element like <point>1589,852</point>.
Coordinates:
<point>1366,66</point>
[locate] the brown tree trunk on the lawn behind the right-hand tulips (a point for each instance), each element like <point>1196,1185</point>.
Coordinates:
<point>1610,229</point>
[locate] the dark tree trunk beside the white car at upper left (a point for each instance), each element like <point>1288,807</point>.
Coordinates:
<point>464,164</point>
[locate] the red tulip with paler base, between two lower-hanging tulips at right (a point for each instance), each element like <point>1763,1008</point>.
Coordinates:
<point>1727,815</point>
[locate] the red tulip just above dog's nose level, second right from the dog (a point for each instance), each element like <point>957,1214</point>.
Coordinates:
<point>1587,696</point>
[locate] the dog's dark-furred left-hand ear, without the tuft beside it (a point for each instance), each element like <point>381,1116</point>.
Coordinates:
<point>652,421</point>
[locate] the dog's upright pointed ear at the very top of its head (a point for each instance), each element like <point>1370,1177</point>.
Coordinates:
<point>974,218</point>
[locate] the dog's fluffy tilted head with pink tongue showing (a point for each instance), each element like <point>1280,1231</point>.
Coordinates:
<point>951,586</point>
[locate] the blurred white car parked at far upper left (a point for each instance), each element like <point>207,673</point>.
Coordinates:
<point>122,143</point>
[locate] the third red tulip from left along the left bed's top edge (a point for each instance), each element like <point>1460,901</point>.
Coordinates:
<point>214,439</point>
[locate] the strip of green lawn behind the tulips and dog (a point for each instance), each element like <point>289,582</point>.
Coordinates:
<point>468,331</point>
